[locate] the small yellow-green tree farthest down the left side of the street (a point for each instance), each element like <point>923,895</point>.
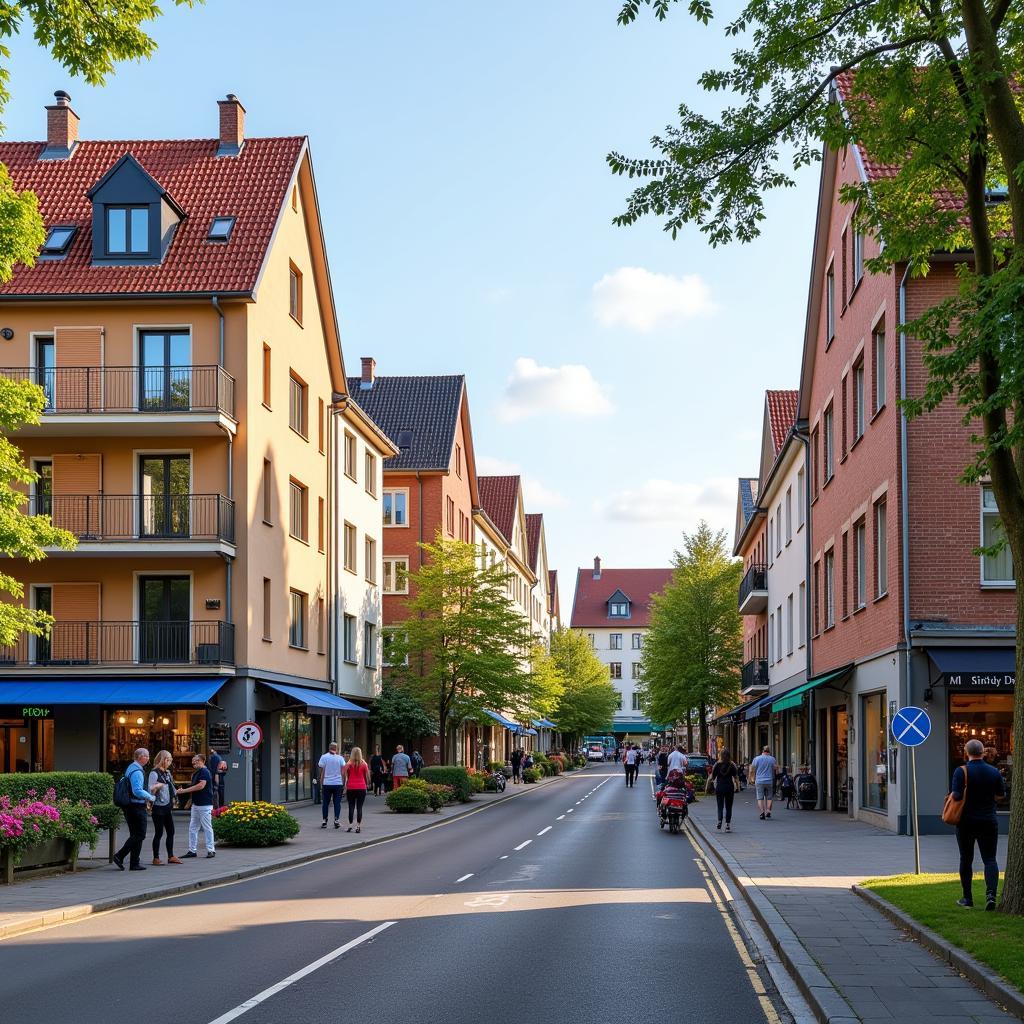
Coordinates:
<point>588,700</point>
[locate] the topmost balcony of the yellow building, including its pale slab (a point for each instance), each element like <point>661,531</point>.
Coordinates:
<point>144,400</point>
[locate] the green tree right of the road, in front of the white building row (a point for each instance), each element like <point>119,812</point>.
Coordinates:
<point>694,649</point>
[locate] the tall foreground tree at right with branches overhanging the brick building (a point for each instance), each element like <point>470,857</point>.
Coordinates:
<point>936,98</point>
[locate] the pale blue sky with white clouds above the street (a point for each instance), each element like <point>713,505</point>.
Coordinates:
<point>459,152</point>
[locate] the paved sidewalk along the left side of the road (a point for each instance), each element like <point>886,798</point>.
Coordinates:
<point>98,886</point>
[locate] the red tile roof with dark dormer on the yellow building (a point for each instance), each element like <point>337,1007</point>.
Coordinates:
<point>251,187</point>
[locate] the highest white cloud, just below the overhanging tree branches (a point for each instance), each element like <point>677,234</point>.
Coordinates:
<point>643,301</point>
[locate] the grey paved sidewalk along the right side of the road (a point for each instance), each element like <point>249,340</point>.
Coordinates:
<point>851,963</point>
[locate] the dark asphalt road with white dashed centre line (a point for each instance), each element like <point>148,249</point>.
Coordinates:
<point>569,904</point>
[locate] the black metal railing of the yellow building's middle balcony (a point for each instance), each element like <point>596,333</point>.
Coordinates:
<point>141,518</point>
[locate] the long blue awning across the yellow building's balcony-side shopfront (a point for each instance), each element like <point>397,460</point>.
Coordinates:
<point>149,693</point>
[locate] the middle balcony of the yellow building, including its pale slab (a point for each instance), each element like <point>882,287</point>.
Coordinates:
<point>112,525</point>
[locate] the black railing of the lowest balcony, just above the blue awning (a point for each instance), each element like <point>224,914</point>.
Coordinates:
<point>179,643</point>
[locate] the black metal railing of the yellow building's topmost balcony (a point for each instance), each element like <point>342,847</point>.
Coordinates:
<point>132,390</point>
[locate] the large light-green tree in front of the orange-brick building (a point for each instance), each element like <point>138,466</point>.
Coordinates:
<point>464,648</point>
